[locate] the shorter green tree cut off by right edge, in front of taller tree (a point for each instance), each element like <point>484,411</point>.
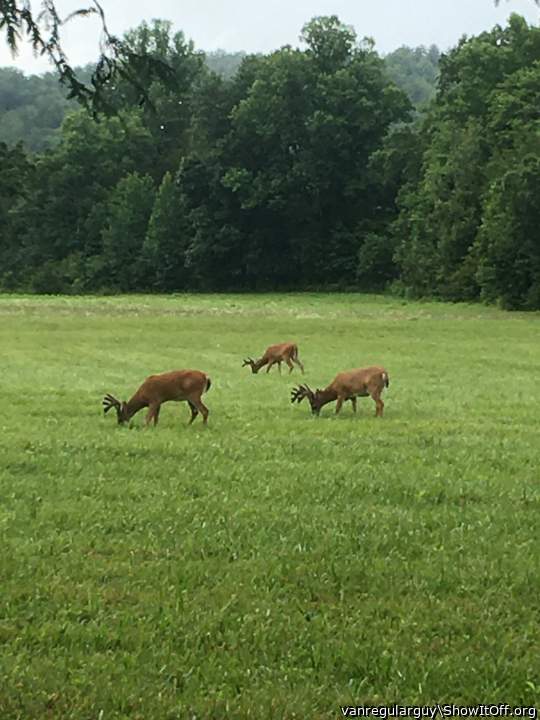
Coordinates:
<point>507,247</point>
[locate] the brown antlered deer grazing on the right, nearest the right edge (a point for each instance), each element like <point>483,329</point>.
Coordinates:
<point>347,386</point>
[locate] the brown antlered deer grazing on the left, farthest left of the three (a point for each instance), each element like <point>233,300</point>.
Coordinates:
<point>178,385</point>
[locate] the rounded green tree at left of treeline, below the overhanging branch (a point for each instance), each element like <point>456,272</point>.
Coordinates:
<point>60,223</point>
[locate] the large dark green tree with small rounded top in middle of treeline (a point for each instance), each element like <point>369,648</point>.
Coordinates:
<point>294,168</point>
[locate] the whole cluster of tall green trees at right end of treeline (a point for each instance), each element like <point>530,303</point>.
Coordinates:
<point>466,227</point>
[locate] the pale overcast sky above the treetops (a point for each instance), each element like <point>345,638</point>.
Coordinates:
<point>264,25</point>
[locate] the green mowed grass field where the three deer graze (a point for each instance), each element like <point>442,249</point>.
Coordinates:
<point>272,565</point>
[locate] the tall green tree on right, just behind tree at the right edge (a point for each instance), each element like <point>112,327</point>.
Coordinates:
<point>473,128</point>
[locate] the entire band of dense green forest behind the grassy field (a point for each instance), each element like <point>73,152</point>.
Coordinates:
<point>324,166</point>
